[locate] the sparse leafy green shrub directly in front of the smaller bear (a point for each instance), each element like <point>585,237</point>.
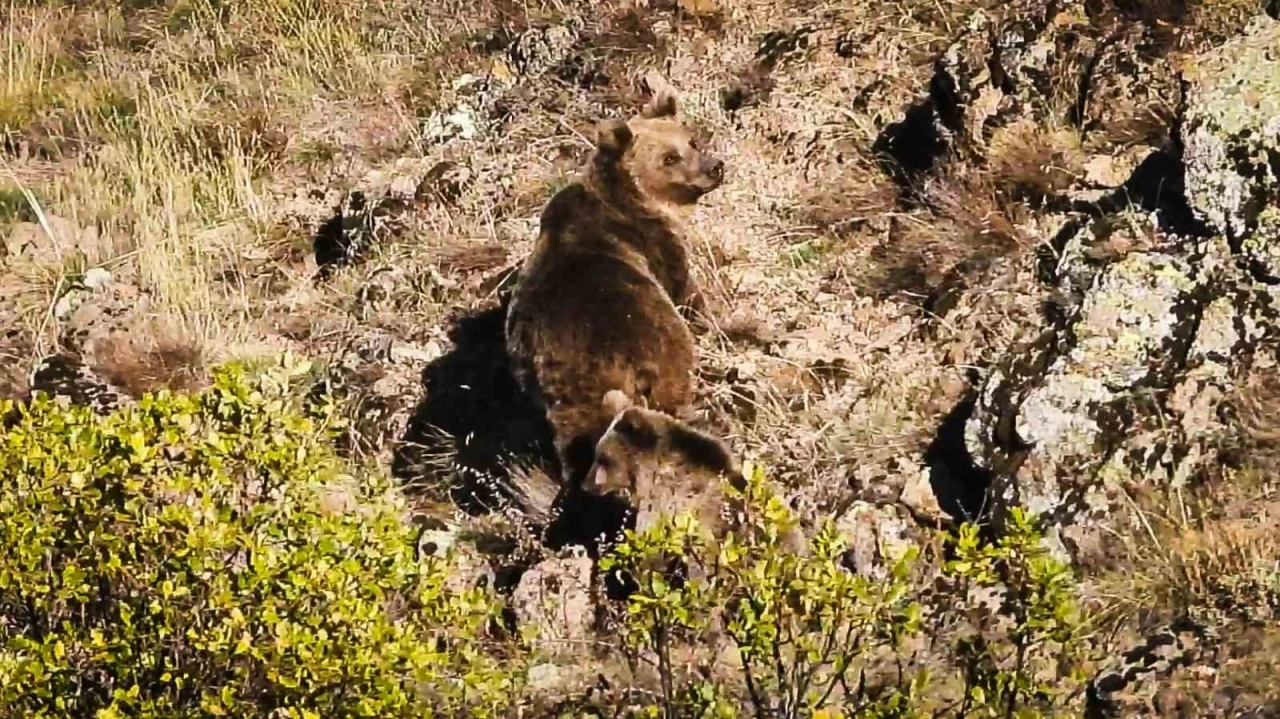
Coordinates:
<point>802,625</point>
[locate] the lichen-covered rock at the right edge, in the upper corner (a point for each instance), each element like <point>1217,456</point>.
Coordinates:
<point>1232,138</point>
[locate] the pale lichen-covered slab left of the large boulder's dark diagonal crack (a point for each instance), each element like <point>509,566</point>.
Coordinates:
<point>1050,422</point>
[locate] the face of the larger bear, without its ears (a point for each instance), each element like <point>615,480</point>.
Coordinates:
<point>668,164</point>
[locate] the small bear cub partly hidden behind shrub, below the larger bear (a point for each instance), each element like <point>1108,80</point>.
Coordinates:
<point>648,457</point>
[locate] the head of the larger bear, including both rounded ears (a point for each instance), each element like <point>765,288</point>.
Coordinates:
<point>659,154</point>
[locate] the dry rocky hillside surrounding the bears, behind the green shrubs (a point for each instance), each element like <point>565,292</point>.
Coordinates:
<point>970,258</point>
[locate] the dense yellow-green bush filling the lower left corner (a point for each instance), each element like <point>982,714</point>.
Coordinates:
<point>181,558</point>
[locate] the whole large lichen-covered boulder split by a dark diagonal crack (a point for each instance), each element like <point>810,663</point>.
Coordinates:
<point>1128,391</point>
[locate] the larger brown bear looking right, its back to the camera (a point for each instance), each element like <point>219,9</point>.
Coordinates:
<point>596,306</point>
